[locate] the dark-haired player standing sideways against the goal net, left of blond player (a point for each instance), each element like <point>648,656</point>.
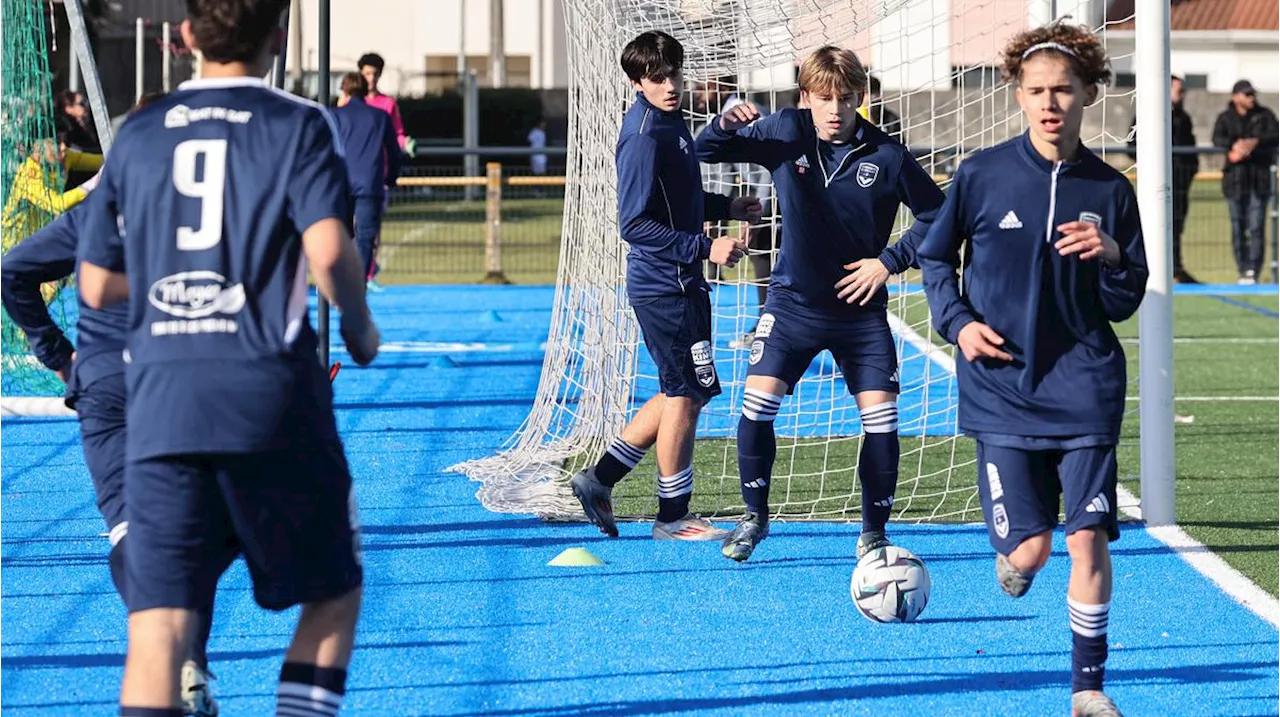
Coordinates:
<point>661,213</point>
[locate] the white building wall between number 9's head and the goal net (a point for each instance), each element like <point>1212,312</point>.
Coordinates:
<point>406,31</point>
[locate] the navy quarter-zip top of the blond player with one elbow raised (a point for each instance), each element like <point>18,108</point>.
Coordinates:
<point>839,205</point>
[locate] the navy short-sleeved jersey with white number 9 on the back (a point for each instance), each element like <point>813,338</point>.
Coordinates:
<point>203,204</point>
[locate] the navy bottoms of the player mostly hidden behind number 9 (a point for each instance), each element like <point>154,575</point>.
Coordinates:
<point>100,408</point>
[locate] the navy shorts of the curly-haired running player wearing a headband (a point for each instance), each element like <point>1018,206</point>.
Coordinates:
<point>1021,490</point>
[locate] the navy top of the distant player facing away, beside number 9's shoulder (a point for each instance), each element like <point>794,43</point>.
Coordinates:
<point>371,148</point>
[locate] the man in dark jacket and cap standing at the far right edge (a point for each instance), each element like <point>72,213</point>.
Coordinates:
<point>1250,133</point>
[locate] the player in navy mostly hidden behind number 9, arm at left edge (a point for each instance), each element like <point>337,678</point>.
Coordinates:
<point>94,373</point>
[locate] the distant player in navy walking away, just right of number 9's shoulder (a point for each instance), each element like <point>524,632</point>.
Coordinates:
<point>373,162</point>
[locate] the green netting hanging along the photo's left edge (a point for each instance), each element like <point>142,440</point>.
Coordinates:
<point>31,176</point>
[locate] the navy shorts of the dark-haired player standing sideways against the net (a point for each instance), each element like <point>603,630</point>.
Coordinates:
<point>678,332</point>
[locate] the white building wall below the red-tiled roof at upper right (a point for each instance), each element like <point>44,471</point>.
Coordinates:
<point>1222,57</point>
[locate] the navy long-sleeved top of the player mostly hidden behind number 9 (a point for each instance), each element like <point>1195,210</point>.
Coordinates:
<point>49,255</point>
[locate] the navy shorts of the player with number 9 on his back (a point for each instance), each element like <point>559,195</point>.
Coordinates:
<point>290,514</point>
